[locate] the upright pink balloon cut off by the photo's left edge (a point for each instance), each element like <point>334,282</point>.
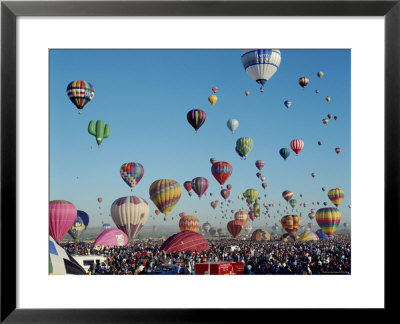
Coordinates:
<point>62,216</point>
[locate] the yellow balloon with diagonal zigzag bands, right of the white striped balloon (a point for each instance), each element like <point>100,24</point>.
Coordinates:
<point>165,194</point>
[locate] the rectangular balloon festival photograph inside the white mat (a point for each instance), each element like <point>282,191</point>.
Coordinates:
<point>199,161</point>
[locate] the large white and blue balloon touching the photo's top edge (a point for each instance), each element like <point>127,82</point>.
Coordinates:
<point>261,64</point>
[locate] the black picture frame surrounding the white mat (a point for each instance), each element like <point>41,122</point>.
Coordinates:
<point>10,10</point>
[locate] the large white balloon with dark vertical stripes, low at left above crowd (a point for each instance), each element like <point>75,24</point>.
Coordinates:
<point>130,214</point>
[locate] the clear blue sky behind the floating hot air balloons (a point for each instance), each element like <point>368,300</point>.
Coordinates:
<point>145,95</point>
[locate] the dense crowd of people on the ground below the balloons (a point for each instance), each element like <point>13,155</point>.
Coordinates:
<point>331,256</point>
